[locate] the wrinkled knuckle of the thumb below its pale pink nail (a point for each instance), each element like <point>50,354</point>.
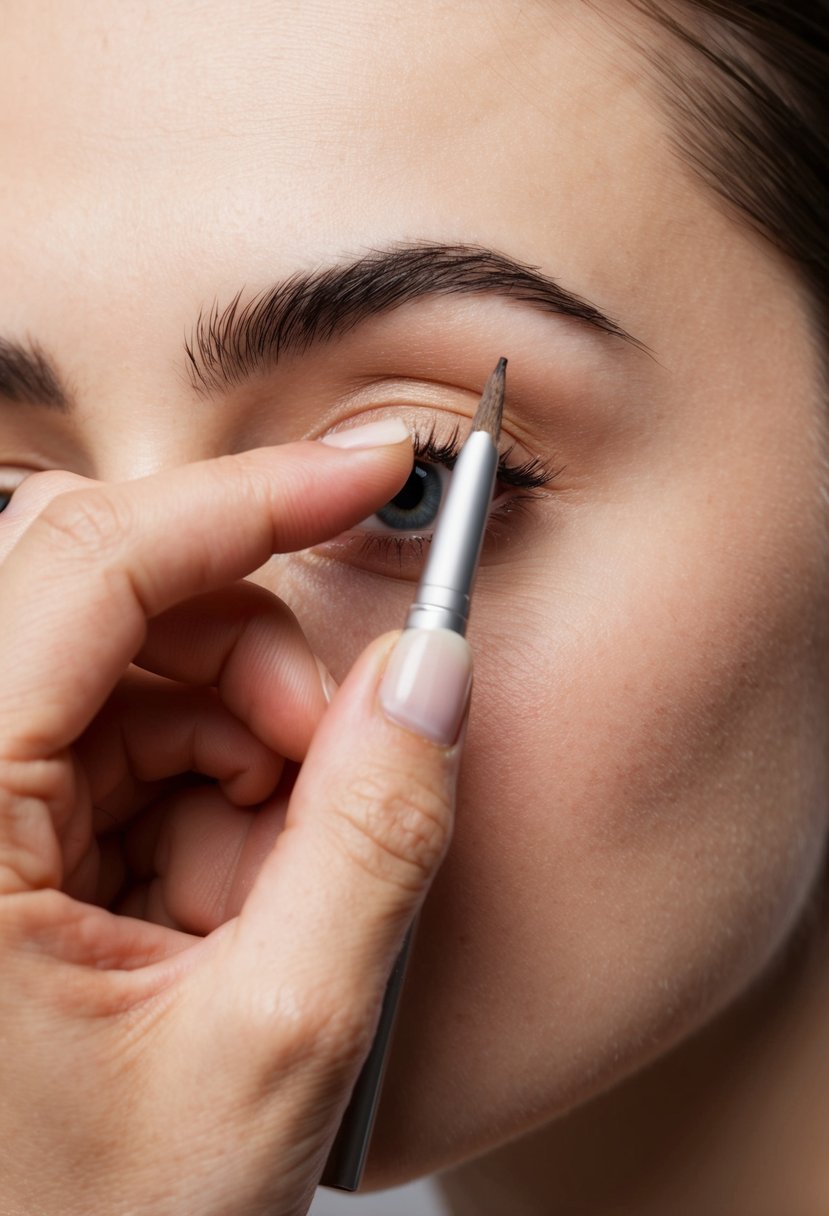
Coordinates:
<point>396,827</point>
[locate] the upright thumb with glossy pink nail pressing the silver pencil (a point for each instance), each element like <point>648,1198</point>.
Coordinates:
<point>369,824</point>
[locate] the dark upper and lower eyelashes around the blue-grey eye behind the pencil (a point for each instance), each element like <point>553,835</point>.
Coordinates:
<point>531,476</point>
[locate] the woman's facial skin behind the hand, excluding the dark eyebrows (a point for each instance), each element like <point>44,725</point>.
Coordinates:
<point>644,790</point>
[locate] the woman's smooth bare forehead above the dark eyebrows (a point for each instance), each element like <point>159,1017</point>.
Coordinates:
<point>294,132</point>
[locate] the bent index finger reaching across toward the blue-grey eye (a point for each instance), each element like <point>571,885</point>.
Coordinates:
<point>84,579</point>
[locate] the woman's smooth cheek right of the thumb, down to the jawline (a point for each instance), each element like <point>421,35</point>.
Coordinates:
<point>641,823</point>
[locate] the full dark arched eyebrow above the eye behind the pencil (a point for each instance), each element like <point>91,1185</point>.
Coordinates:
<point>230,346</point>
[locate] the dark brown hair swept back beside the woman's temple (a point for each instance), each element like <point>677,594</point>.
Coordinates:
<point>749,94</point>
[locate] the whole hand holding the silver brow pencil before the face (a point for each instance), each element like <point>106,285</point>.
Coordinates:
<point>144,1068</point>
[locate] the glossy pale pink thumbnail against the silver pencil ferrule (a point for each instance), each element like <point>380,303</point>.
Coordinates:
<point>426,686</point>
